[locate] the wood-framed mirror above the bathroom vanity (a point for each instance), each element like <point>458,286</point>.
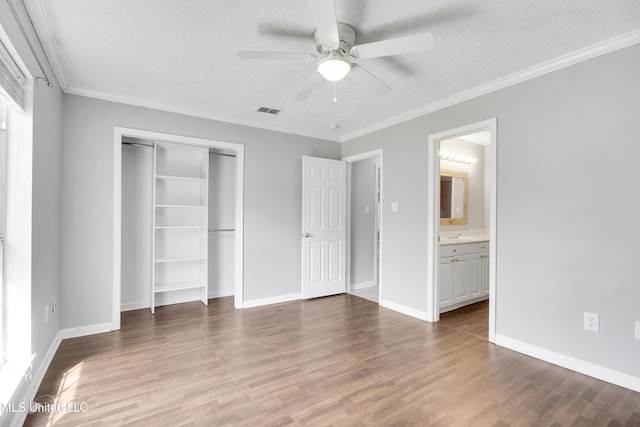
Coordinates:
<point>453,197</point>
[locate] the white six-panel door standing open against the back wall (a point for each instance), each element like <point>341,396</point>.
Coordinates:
<point>323,226</point>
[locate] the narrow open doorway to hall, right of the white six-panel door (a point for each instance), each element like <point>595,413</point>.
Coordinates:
<point>365,225</point>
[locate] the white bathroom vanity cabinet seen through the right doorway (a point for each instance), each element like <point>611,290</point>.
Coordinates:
<point>464,274</point>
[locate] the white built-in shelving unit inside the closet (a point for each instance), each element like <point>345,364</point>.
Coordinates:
<point>180,220</point>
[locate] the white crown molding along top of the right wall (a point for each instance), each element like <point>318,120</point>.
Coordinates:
<point>564,61</point>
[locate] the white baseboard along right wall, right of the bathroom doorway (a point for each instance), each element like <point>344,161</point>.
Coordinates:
<point>577,365</point>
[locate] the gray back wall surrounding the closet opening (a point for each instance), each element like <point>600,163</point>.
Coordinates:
<point>273,196</point>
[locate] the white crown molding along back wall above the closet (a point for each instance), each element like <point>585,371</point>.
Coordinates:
<point>134,101</point>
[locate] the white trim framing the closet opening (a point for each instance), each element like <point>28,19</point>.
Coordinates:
<point>118,134</point>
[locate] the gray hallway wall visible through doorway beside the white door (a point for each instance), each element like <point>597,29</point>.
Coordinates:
<point>363,224</point>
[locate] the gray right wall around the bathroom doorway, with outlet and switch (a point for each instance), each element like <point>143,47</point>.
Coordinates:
<point>567,161</point>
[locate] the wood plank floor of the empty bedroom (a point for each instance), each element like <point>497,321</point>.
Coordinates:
<point>340,361</point>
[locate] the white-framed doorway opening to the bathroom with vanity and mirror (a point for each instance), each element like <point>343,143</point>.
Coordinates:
<point>458,279</point>
